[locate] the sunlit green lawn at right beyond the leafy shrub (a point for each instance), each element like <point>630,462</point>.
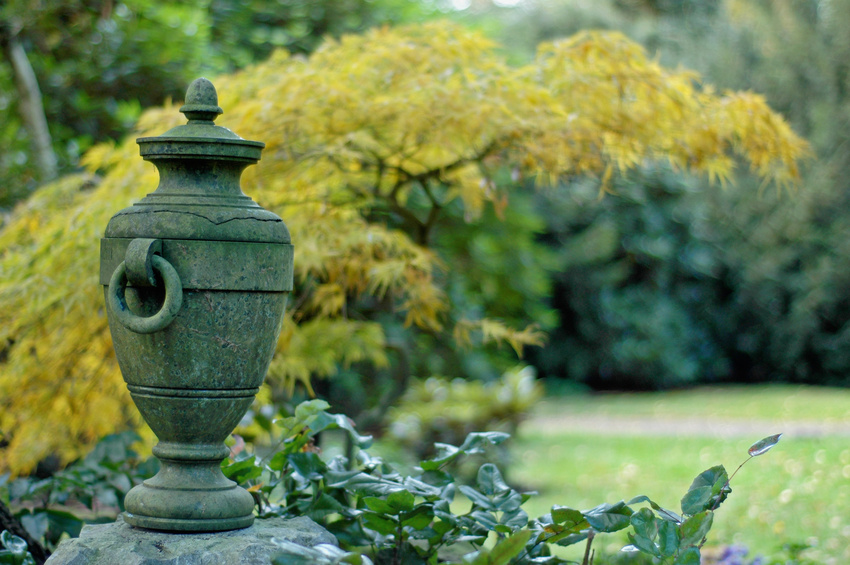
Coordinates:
<point>797,493</point>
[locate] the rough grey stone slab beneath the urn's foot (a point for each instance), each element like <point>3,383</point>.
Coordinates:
<point>120,543</point>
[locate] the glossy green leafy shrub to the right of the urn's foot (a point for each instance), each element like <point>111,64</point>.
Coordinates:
<point>392,518</point>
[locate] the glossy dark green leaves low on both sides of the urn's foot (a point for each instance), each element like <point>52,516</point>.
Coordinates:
<point>380,515</point>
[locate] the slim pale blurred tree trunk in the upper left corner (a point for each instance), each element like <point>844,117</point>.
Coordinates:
<point>31,106</point>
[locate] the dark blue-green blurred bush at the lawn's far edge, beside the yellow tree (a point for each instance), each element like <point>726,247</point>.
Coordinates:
<point>638,273</point>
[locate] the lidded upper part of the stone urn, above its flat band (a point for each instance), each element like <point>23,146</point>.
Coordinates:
<point>199,195</point>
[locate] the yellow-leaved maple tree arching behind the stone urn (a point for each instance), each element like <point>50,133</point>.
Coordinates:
<point>367,142</point>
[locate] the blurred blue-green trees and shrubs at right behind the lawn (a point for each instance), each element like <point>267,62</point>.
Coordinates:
<point>669,284</point>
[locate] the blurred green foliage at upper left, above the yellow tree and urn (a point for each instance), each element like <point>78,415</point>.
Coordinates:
<point>98,66</point>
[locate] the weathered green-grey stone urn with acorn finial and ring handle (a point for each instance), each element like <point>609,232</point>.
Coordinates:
<point>196,277</point>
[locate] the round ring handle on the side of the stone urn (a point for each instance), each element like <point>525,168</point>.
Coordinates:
<point>170,306</point>
